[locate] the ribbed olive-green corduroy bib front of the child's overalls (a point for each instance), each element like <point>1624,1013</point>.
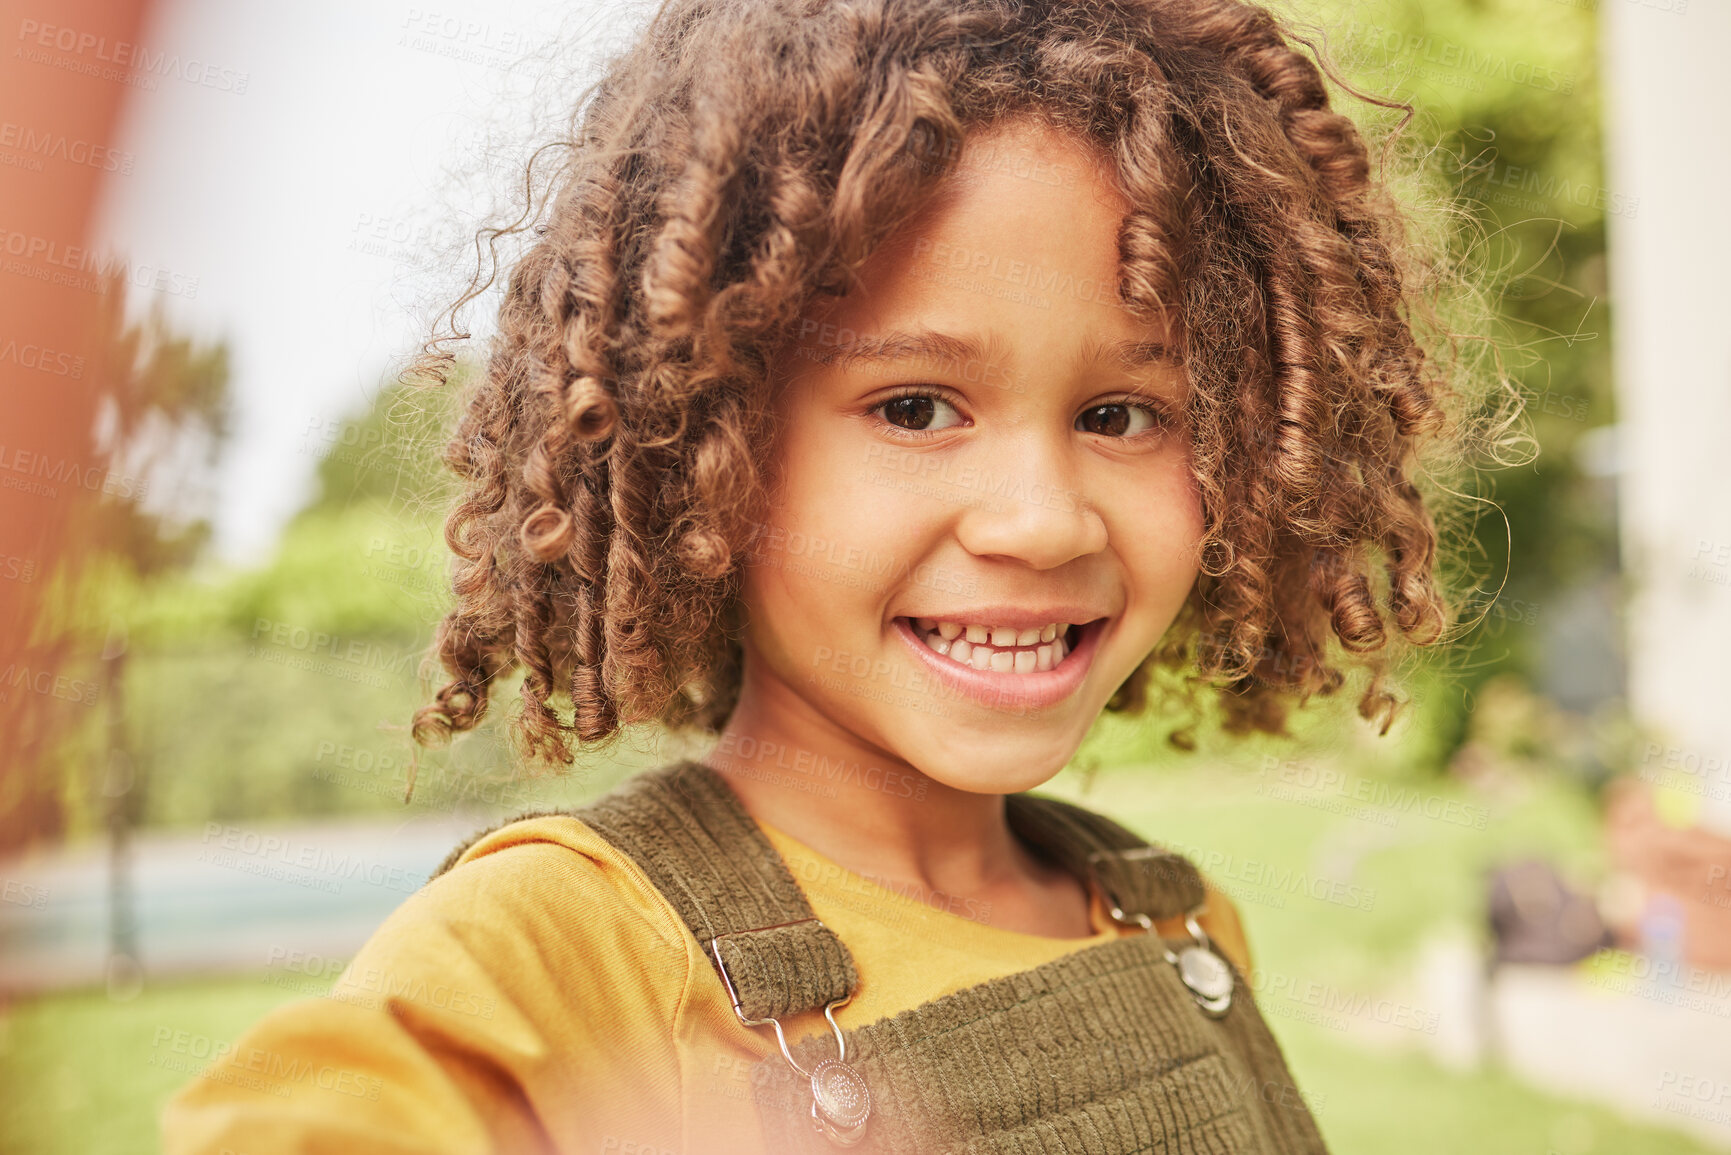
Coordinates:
<point>1097,1054</point>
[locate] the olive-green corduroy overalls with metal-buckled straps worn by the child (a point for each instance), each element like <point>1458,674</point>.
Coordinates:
<point>1109,1050</point>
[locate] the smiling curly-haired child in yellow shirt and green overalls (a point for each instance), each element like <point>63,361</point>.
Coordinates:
<point>891,389</point>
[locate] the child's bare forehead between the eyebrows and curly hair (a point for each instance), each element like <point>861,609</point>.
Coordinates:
<point>1020,242</point>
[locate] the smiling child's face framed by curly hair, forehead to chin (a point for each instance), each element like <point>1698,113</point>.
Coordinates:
<point>975,437</point>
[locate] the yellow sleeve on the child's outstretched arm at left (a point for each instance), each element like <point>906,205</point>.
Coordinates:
<point>460,1028</point>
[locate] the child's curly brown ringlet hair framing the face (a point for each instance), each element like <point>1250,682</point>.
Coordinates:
<point>745,157</point>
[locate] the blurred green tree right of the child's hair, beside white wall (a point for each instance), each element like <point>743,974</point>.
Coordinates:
<point>1505,157</point>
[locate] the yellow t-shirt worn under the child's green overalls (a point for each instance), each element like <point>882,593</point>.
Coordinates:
<point>544,998</point>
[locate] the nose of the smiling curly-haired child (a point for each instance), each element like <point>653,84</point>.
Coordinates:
<point>1031,512</point>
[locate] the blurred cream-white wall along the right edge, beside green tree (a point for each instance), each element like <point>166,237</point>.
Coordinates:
<point>1670,145</point>
